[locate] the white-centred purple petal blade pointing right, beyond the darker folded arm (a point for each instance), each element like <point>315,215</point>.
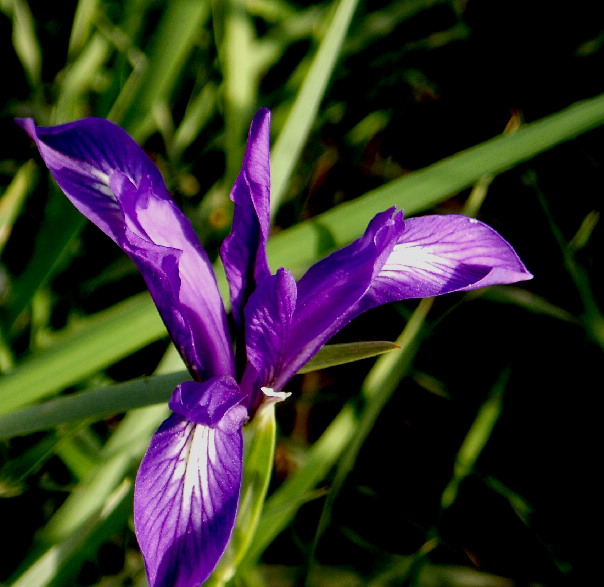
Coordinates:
<point>435,255</point>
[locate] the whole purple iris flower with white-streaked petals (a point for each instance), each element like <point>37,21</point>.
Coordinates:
<point>188,484</point>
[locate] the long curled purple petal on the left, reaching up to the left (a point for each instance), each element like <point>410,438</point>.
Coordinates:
<point>110,179</point>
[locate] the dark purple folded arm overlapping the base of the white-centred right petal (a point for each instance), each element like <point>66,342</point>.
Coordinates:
<point>330,291</point>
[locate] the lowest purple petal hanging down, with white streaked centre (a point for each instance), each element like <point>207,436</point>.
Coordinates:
<point>186,496</point>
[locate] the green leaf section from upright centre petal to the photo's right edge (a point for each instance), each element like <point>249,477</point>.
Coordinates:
<point>419,190</point>
